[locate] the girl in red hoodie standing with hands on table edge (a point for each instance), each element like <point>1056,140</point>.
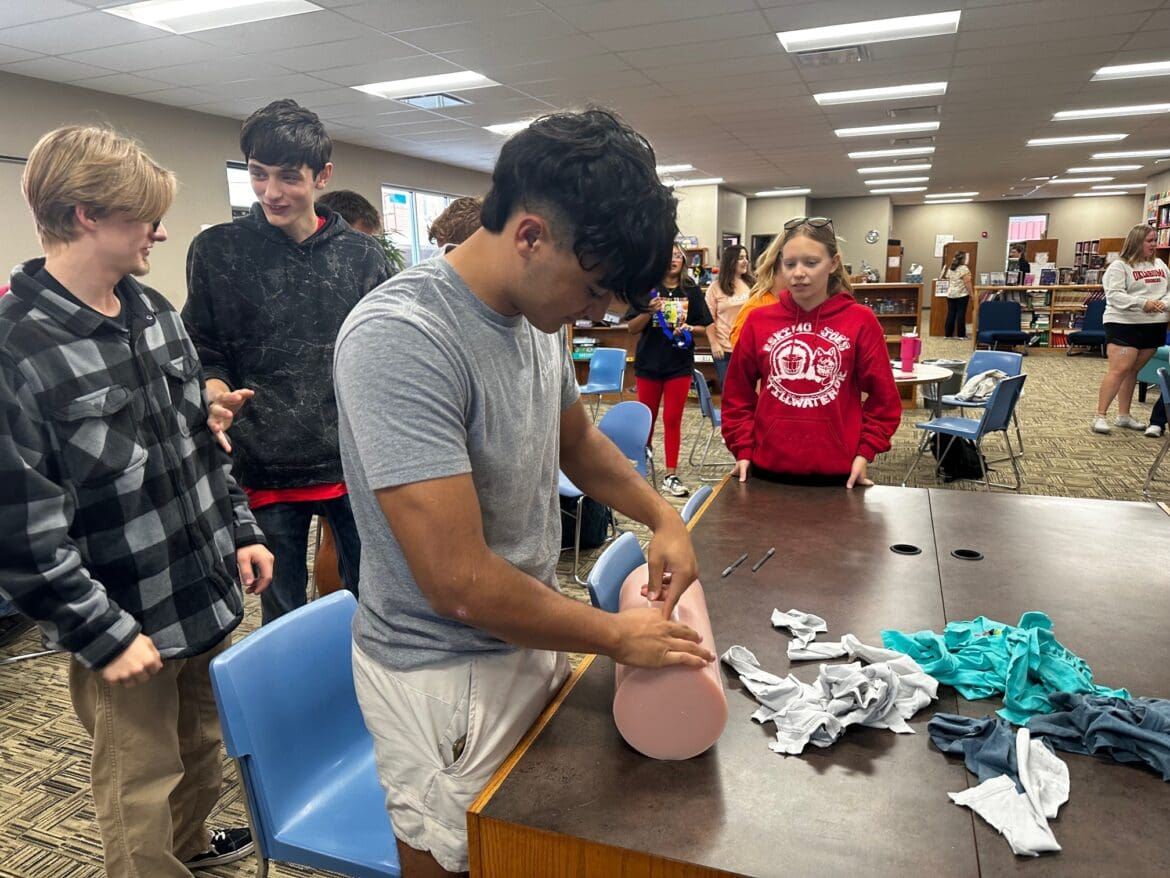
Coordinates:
<point>813,355</point>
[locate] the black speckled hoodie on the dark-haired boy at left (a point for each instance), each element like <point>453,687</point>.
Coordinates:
<point>264,313</point>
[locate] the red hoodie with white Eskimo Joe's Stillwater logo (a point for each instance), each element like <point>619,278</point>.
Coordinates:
<point>811,368</point>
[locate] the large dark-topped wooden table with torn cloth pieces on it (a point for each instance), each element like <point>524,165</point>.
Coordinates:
<point>575,800</point>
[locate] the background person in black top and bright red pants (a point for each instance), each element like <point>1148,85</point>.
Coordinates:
<point>665,358</point>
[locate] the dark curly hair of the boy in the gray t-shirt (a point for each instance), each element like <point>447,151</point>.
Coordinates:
<point>593,180</point>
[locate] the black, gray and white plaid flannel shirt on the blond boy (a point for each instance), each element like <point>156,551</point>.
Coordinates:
<point>119,512</point>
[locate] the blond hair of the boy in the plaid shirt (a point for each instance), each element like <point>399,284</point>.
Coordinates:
<point>98,169</point>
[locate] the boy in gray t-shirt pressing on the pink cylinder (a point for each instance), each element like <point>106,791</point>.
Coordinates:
<point>458,404</point>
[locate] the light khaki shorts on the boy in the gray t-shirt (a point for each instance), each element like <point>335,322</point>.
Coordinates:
<point>442,732</point>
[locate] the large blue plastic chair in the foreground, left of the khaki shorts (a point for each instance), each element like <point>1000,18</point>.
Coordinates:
<point>293,725</point>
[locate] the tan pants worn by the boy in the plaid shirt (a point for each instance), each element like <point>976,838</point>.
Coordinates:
<point>156,764</point>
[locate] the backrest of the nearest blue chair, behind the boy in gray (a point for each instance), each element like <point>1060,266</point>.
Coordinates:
<point>288,708</point>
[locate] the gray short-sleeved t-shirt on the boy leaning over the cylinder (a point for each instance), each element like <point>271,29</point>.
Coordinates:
<point>432,383</point>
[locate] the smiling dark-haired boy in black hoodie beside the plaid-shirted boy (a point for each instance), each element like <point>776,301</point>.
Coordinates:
<point>266,297</point>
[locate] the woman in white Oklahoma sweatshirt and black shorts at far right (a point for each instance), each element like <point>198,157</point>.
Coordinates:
<point>1138,306</point>
